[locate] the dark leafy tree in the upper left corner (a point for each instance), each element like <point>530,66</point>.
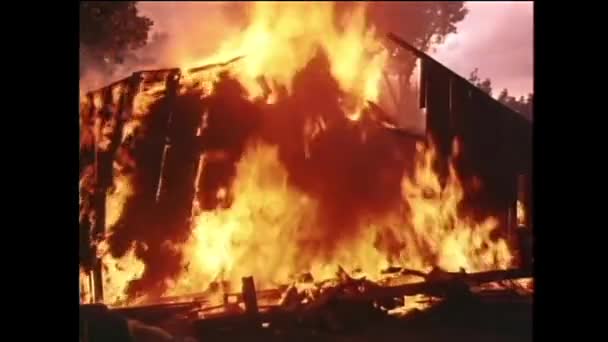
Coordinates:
<point>110,31</point>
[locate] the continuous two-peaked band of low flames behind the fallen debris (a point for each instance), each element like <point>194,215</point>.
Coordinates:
<point>266,230</point>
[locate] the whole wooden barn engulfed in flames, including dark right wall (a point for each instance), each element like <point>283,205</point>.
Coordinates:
<point>273,183</point>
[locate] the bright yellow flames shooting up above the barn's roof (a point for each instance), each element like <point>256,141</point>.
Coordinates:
<point>282,37</point>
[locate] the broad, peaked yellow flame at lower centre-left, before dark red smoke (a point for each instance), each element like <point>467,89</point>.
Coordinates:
<point>242,240</point>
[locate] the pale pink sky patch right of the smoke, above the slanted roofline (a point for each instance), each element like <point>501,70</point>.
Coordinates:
<point>497,38</point>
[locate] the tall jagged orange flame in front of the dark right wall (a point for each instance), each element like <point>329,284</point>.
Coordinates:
<point>456,241</point>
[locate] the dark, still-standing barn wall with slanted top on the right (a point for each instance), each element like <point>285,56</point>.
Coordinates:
<point>495,142</point>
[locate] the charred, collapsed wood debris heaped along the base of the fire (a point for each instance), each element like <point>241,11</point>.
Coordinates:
<point>337,307</point>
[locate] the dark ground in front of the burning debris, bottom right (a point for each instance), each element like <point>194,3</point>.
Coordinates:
<point>499,320</point>
